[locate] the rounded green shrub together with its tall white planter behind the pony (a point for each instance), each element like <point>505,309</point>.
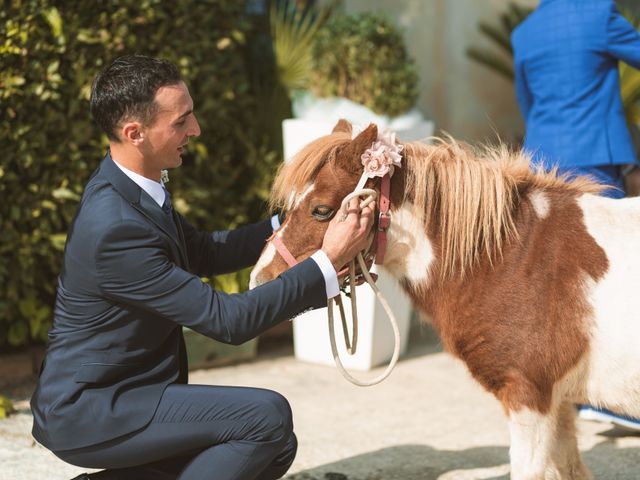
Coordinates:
<point>354,67</point>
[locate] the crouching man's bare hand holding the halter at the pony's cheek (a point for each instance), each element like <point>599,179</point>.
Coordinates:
<point>345,238</point>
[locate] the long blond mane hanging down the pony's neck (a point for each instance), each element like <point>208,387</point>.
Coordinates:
<point>469,195</point>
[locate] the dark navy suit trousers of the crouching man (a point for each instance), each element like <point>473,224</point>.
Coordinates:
<point>198,432</point>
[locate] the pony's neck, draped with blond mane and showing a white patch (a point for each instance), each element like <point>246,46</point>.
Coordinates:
<point>447,207</point>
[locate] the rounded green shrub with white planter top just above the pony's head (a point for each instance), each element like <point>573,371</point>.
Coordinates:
<point>359,70</point>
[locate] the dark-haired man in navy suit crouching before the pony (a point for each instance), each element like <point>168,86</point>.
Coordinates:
<point>113,390</point>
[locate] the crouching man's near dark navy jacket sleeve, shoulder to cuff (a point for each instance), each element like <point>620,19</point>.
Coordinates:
<point>133,269</point>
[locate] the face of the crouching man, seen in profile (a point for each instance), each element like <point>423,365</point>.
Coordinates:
<point>174,123</point>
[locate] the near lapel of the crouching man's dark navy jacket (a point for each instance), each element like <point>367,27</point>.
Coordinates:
<point>142,201</point>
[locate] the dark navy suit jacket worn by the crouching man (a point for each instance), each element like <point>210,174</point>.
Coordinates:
<point>129,282</point>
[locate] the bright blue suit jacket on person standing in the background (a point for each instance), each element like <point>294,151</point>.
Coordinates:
<point>567,83</point>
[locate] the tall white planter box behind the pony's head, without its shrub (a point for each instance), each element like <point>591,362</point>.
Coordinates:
<point>375,334</point>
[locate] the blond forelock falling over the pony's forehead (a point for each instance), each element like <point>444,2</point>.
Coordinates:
<point>294,176</point>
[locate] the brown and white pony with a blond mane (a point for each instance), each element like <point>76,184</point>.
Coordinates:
<point>530,279</point>
